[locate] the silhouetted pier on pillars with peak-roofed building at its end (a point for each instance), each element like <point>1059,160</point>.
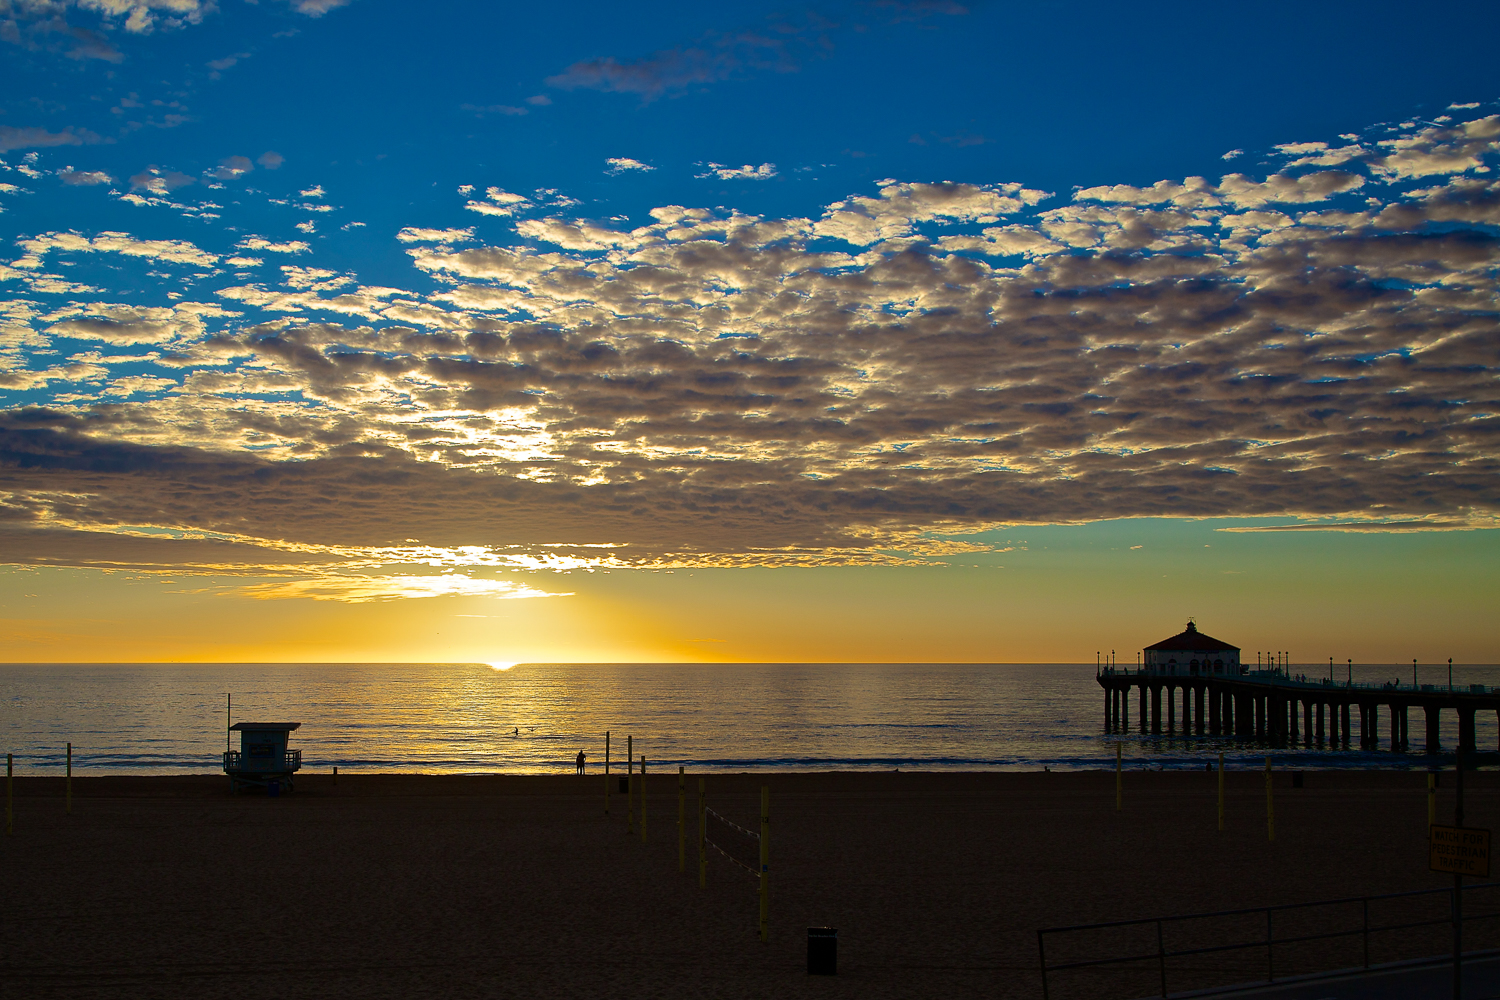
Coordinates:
<point>1223,698</point>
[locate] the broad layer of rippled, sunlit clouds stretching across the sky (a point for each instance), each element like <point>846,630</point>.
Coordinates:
<point>863,386</point>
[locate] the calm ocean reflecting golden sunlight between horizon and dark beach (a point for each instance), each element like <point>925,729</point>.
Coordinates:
<point>533,719</point>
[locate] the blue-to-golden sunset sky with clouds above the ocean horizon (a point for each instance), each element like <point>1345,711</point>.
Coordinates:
<point>854,332</point>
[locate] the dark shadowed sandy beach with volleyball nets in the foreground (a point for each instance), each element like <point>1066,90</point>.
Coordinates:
<point>467,887</point>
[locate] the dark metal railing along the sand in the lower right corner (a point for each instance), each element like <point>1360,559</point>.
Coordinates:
<point>1261,945</point>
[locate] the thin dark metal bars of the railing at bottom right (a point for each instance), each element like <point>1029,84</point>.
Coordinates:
<point>1270,941</point>
